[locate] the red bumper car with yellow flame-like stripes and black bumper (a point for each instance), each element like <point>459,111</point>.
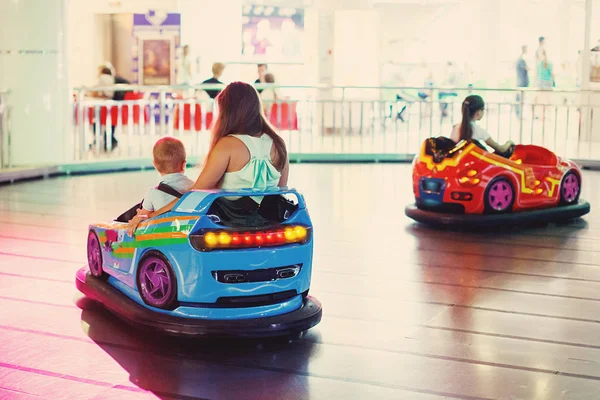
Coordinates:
<point>465,184</point>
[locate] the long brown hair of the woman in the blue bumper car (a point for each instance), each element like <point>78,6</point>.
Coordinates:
<point>241,111</point>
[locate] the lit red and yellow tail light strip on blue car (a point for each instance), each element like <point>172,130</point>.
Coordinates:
<point>218,239</point>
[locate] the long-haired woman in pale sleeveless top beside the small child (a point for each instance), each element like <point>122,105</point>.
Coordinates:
<point>245,150</point>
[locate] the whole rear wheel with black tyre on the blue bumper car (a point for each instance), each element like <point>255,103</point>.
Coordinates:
<point>156,281</point>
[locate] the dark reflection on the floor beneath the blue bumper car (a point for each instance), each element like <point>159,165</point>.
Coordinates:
<point>172,367</point>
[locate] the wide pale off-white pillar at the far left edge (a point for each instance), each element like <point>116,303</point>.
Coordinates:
<point>33,60</point>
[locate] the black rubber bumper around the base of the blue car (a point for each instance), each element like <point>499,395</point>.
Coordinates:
<point>302,319</point>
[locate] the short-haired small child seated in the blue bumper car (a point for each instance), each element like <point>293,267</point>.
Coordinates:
<point>169,160</point>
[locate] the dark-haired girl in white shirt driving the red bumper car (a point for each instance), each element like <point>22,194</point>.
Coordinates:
<point>473,108</point>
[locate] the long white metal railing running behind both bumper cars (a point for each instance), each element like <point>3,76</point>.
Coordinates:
<point>337,123</point>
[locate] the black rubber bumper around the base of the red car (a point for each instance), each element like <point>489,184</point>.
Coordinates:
<point>560,213</point>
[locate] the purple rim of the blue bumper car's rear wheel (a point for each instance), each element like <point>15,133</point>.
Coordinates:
<point>156,284</point>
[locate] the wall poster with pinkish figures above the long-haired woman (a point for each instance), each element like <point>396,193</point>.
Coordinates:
<point>272,32</point>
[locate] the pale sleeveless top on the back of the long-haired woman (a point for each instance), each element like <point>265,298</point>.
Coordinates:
<point>259,171</point>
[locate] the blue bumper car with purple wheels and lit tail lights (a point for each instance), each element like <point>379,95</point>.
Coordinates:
<point>218,264</point>
